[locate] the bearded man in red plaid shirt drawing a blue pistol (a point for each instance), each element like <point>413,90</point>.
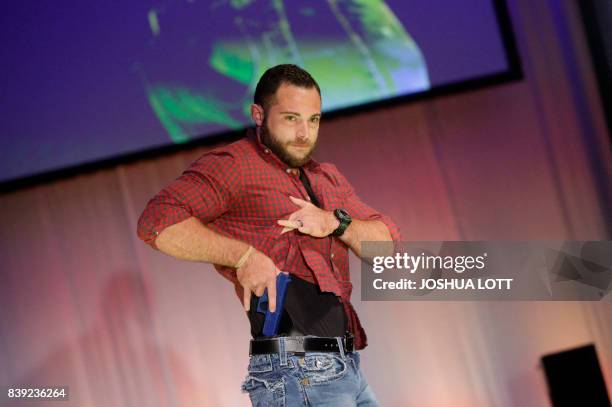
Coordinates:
<point>260,206</point>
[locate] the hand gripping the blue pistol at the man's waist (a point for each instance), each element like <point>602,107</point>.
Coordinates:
<point>258,273</point>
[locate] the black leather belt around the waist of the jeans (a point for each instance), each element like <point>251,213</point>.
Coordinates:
<point>300,344</point>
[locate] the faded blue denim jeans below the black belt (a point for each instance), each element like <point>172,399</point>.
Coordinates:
<point>314,379</point>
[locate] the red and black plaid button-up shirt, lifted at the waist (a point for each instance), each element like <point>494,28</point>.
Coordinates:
<point>241,190</point>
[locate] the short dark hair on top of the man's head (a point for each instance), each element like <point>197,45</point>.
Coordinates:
<point>274,77</point>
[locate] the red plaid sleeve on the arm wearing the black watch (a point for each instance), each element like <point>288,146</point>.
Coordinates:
<point>358,209</point>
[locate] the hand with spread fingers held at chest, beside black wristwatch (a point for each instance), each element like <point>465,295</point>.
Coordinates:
<point>310,220</point>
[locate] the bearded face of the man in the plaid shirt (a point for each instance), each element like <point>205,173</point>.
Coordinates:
<point>291,124</point>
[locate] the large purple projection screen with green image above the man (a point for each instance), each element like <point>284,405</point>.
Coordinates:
<point>88,81</point>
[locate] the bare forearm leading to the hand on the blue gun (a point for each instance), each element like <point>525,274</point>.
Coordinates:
<point>191,240</point>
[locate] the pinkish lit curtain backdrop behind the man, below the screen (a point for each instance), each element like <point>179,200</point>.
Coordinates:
<point>85,303</point>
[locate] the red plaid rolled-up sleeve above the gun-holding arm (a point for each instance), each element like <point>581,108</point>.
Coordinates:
<point>205,190</point>
